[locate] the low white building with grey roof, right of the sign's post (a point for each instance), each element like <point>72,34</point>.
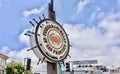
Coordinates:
<point>86,67</point>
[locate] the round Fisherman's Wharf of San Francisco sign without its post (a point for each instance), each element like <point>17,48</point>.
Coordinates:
<point>51,41</point>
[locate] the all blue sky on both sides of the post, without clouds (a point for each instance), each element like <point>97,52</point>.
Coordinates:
<point>13,21</point>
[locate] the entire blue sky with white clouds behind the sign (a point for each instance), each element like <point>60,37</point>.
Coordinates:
<point>93,27</point>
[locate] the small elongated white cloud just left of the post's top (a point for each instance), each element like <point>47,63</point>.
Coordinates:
<point>27,13</point>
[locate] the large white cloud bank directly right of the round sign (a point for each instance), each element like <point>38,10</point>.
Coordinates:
<point>92,43</point>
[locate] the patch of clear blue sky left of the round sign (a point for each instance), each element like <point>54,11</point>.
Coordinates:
<point>13,22</point>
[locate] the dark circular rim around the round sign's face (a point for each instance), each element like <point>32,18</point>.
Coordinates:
<point>38,45</point>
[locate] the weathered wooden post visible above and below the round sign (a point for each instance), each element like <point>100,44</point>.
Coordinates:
<point>51,67</point>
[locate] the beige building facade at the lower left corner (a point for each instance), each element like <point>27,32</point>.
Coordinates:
<point>3,63</point>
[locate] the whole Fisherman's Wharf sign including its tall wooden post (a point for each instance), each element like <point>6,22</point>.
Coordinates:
<point>49,41</point>
